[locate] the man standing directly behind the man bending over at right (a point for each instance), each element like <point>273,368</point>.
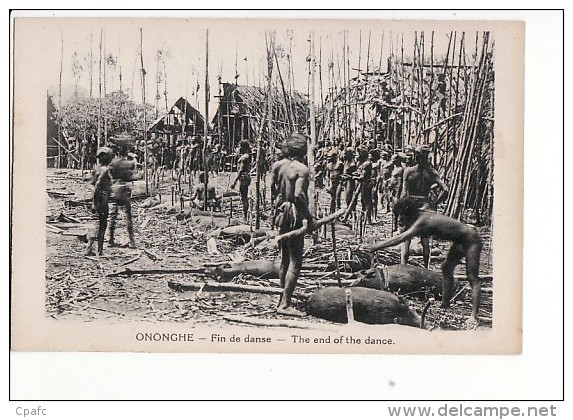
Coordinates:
<point>417,183</point>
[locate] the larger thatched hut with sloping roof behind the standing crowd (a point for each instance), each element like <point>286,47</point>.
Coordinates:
<point>243,114</point>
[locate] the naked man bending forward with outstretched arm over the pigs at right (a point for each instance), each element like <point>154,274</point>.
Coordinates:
<point>466,242</point>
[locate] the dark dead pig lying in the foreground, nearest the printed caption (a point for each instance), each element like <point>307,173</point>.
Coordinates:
<point>370,306</point>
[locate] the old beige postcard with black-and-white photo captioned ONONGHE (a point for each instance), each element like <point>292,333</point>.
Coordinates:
<point>267,186</point>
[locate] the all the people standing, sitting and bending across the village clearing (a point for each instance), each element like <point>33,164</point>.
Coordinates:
<point>407,180</point>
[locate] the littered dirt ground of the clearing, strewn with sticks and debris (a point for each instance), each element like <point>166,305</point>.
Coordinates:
<point>77,286</point>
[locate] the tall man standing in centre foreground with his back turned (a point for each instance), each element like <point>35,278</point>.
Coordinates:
<point>292,209</point>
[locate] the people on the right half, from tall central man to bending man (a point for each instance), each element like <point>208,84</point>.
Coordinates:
<point>415,197</point>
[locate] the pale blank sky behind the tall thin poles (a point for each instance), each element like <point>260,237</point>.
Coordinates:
<point>235,46</point>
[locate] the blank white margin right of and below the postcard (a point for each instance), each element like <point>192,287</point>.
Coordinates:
<point>536,374</point>
